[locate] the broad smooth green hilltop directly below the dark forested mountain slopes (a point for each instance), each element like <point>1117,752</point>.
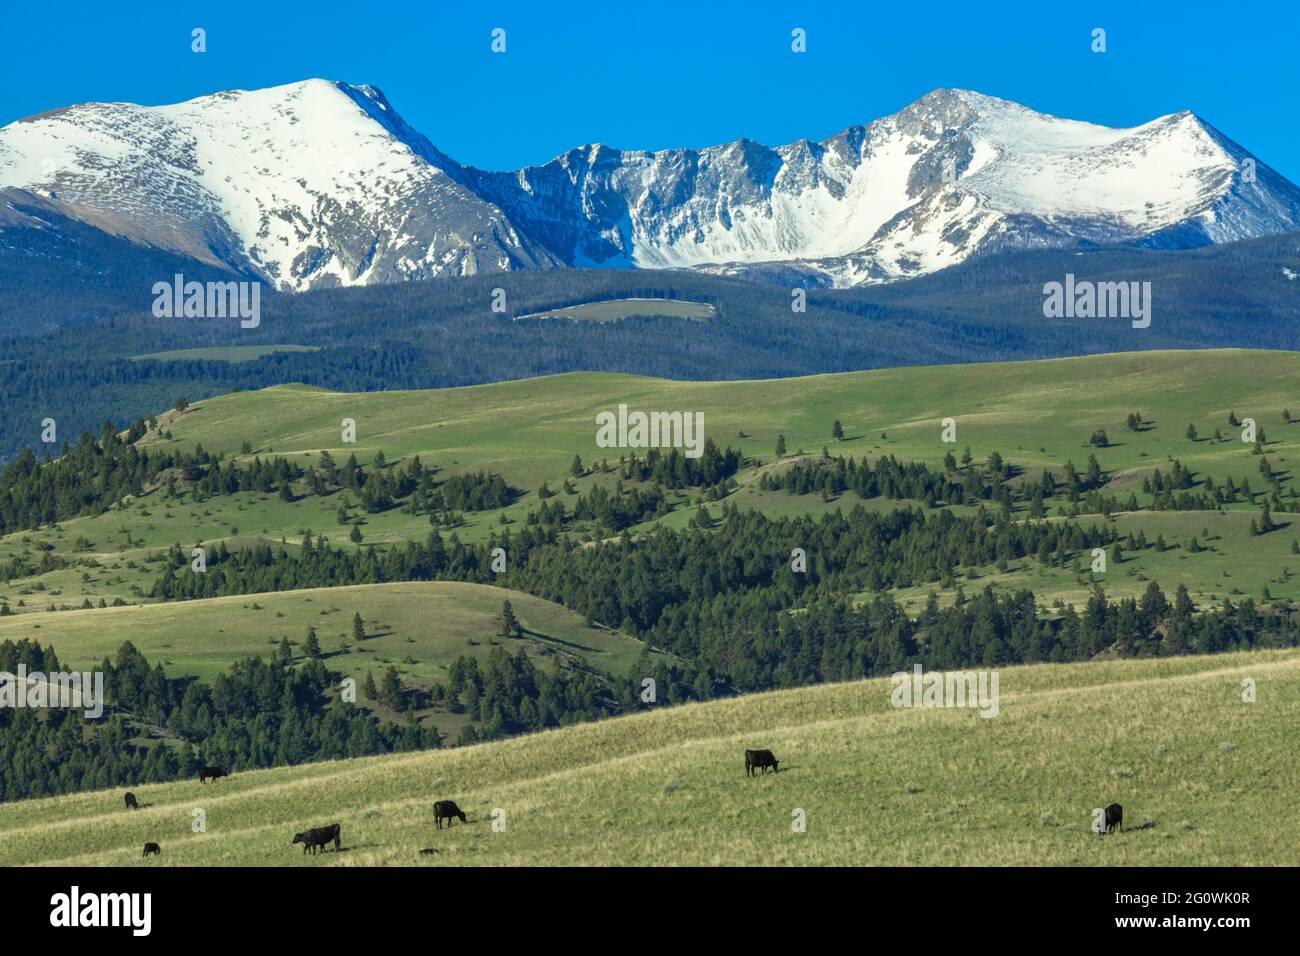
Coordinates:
<point>1039,414</point>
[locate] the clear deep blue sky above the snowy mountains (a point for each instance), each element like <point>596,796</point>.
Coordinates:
<point>669,73</point>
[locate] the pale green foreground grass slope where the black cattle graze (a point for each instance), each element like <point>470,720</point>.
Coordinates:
<point>1204,780</point>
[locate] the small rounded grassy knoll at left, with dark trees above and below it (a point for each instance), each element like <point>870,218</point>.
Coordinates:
<point>422,626</point>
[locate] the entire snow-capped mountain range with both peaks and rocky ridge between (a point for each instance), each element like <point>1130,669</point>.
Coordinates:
<point>323,184</point>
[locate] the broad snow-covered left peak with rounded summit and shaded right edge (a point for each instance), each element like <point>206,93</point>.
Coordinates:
<point>309,185</point>
